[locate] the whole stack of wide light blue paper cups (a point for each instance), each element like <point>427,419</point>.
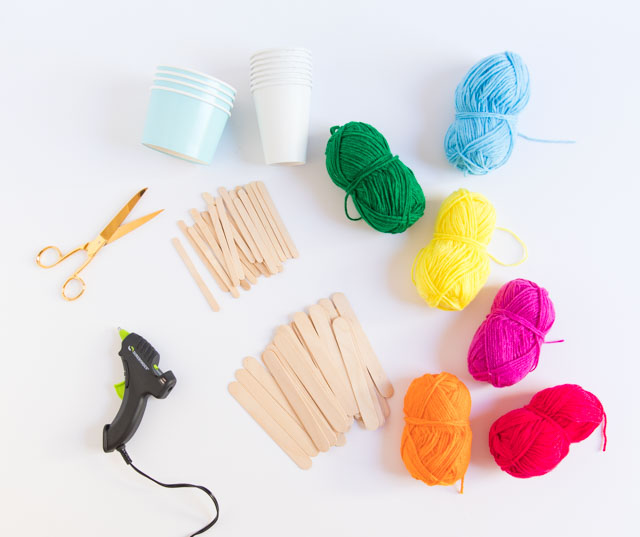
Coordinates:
<point>188,112</point>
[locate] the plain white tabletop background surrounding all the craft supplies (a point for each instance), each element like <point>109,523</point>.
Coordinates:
<point>73,96</point>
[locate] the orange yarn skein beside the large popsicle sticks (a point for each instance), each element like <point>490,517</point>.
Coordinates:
<point>436,441</point>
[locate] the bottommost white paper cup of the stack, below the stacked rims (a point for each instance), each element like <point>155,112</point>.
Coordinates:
<point>283,119</point>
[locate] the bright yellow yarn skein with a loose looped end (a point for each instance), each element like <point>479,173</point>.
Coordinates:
<point>450,271</point>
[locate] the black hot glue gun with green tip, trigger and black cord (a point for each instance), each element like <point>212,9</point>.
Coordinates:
<point>142,378</point>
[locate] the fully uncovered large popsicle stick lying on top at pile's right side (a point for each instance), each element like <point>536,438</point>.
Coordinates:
<point>345,337</point>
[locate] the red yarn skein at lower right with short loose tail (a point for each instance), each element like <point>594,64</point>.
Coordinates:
<point>532,440</point>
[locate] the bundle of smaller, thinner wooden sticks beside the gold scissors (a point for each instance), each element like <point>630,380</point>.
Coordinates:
<point>239,237</point>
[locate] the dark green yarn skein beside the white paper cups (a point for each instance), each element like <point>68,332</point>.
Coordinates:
<point>384,191</point>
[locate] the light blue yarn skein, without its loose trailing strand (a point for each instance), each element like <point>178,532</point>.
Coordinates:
<point>488,101</point>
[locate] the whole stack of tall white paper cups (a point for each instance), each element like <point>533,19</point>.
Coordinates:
<point>281,88</point>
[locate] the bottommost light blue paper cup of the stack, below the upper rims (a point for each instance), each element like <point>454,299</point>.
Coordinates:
<point>183,125</point>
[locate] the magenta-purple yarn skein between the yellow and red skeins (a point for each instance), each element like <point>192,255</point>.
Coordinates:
<point>506,346</point>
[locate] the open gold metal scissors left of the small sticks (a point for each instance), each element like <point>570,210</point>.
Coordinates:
<point>111,233</point>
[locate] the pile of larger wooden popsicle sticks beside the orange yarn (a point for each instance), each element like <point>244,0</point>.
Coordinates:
<point>321,372</point>
